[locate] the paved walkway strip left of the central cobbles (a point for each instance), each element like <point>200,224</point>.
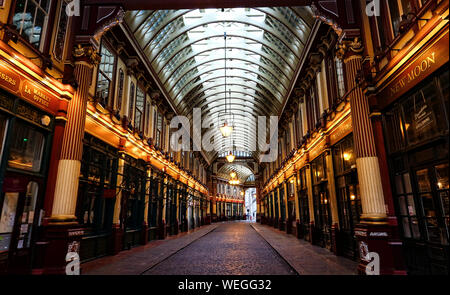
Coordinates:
<point>138,260</point>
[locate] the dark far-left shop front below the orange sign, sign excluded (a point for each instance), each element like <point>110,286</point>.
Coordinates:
<point>26,144</point>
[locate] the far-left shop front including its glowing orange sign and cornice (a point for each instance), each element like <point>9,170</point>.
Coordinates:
<point>29,105</point>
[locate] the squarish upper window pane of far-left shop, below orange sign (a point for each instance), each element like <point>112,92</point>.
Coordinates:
<point>27,146</point>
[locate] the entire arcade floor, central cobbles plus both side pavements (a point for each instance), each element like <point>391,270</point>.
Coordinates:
<point>233,248</point>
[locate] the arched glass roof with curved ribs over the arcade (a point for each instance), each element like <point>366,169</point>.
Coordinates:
<point>186,49</point>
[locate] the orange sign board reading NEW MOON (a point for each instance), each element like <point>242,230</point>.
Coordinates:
<point>418,69</point>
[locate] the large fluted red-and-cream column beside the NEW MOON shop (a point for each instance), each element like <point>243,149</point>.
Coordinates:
<point>373,232</point>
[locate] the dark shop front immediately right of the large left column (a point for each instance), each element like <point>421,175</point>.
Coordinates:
<point>96,196</point>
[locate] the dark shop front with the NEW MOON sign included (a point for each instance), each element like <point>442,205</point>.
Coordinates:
<point>415,116</point>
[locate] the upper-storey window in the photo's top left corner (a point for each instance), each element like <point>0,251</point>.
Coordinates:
<point>31,18</point>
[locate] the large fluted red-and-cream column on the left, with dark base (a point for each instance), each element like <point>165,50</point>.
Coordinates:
<point>62,233</point>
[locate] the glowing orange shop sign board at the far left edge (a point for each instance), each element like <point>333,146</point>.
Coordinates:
<point>30,90</point>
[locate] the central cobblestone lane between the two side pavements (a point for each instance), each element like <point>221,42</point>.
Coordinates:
<point>231,249</point>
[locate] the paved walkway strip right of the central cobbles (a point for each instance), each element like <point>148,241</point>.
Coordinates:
<point>305,258</point>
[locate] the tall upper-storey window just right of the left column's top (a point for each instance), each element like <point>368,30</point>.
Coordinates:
<point>105,76</point>
